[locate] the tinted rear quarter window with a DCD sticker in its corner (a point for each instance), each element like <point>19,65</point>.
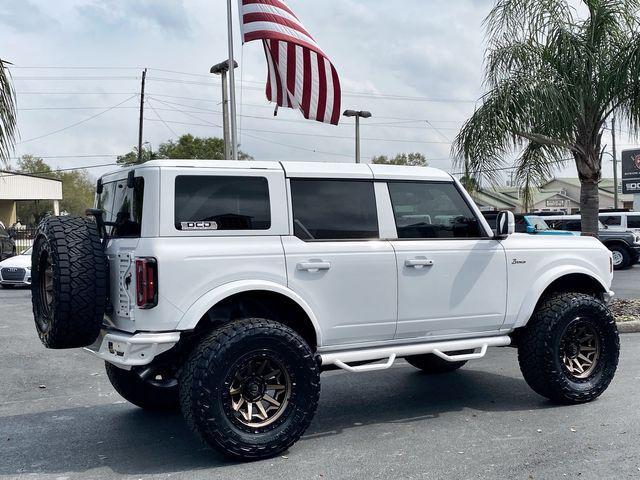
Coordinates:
<point>223,203</point>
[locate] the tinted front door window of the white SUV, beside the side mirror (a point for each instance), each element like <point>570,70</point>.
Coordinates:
<point>432,210</point>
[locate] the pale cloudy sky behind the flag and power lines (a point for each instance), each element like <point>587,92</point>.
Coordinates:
<point>415,64</point>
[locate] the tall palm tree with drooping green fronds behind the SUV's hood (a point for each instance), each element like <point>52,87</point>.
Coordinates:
<point>554,76</point>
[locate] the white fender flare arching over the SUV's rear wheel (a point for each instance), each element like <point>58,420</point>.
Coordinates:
<point>201,306</point>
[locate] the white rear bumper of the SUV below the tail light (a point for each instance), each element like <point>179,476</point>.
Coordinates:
<point>131,350</point>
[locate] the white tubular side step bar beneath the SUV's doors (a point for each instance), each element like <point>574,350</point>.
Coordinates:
<point>342,359</point>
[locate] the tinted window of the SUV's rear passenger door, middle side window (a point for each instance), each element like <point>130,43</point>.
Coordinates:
<point>334,210</point>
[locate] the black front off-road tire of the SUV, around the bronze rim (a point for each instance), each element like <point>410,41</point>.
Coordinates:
<point>540,355</point>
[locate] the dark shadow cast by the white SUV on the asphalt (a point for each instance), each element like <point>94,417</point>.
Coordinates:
<point>130,441</point>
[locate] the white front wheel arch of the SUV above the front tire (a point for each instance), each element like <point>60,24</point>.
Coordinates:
<point>578,279</point>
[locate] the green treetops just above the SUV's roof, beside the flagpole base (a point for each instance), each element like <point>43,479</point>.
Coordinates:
<point>186,147</point>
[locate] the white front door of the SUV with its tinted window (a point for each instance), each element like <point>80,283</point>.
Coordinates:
<point>451,274</point>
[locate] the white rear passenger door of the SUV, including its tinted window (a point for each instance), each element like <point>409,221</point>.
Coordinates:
<point>337,262</point>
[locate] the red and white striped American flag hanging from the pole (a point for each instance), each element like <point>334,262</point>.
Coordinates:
<point>300,74</point>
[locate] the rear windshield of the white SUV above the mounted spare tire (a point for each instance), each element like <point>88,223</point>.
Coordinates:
<point>122,207</point>
